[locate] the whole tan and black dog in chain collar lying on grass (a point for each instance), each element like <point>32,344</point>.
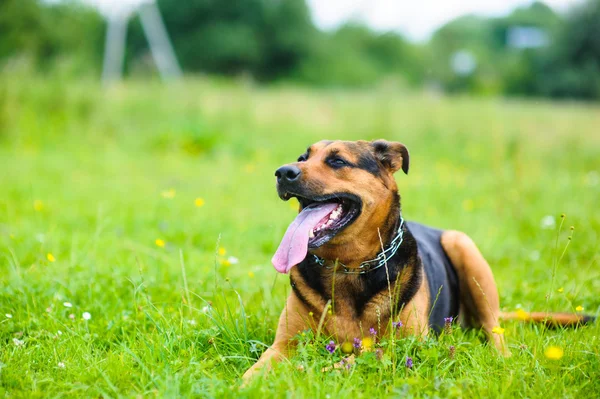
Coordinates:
<point>356,264</point>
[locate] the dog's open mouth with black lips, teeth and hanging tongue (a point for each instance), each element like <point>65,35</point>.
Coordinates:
<point>320,219</point>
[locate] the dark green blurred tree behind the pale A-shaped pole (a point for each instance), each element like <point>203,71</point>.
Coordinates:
<point>265,38</point>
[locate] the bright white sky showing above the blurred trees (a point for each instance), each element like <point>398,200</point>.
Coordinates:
<point>417,20</point>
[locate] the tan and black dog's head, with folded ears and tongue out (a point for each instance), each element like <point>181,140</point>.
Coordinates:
<point>346,192</point>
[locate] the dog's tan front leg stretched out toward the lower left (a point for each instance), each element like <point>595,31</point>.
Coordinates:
<point>293,320</point>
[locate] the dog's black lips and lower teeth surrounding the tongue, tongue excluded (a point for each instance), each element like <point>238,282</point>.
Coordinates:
<point>349,209</point>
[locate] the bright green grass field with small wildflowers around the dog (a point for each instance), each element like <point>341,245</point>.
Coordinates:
<point>137,226</point>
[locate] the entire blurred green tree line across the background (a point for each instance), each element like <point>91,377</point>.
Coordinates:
<point>531,52</point>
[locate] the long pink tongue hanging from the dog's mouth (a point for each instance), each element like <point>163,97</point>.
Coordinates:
<point>294,244</point>
